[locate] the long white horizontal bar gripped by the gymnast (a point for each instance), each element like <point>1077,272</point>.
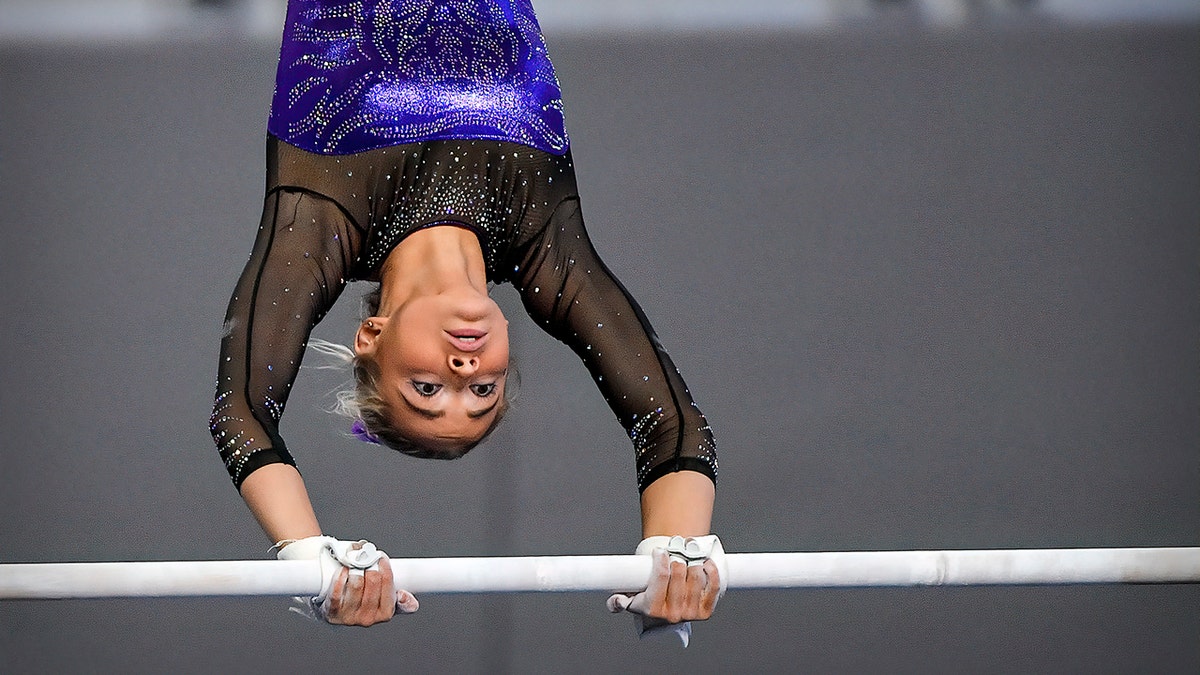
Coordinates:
<point>52,581</point>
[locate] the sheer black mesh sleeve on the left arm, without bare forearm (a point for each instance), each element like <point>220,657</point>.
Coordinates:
<point>295,274</point>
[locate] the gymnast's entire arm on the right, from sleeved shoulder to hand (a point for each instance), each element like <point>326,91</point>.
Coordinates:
<point>572,295</point>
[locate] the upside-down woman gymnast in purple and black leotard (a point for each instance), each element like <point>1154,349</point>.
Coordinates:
<point>421,145</point>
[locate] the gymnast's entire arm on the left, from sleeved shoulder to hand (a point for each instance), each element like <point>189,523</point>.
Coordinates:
<point>295,276</point>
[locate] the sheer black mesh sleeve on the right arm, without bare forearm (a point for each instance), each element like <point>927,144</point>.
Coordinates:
<point>572,295</point>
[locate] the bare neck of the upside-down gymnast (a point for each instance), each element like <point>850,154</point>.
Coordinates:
<point>431,262</point>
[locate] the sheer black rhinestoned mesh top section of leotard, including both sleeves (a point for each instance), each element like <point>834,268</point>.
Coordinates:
<point>331,219</point>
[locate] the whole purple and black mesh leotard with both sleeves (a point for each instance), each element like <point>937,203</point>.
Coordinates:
<point>394,116</point>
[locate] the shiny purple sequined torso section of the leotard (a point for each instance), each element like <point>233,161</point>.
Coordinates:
<point>363,75</point>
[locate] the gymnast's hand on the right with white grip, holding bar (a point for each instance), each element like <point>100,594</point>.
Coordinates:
<point>686,584</point>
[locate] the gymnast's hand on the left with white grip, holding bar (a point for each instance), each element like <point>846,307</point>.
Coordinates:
<point>357,588</point>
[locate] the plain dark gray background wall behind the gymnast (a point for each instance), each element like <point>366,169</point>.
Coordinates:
<point>934,290</point>
